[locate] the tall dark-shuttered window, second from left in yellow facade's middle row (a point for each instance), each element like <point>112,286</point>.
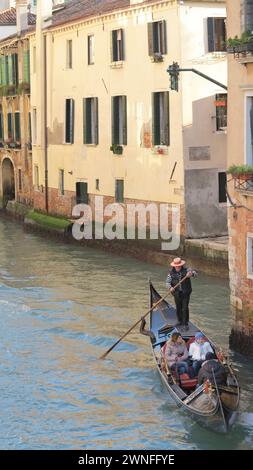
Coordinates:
<point>90,121</point>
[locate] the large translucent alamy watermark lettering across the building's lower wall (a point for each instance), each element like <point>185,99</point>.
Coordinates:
<point>128,221</point>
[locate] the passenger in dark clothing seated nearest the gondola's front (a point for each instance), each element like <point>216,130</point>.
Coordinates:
<point>212,367</point>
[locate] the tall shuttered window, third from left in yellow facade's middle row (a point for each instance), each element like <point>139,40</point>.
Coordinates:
<point>119,120</point>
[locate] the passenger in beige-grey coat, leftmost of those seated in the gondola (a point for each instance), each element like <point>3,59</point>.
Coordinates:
<point>176,354</point>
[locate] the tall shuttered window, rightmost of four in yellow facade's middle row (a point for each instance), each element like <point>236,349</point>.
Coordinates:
<point>161,127</point>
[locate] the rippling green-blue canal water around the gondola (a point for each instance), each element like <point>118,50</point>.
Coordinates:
<point>61,307</point>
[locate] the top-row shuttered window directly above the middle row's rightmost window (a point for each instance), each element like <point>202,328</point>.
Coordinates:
<point>157,42</point>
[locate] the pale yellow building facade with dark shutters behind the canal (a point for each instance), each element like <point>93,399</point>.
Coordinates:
<point>114,128</point>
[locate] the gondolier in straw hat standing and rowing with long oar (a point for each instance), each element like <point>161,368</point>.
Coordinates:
<point>183,292</point>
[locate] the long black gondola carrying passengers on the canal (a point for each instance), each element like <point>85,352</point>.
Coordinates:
<point>210,405</point>
